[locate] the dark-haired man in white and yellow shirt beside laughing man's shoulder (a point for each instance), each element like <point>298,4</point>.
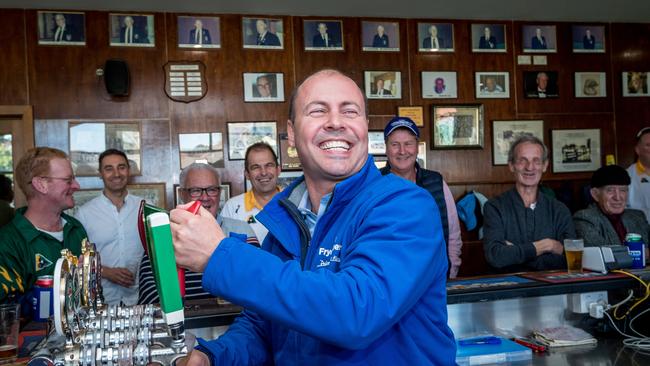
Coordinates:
<point>262,170</point>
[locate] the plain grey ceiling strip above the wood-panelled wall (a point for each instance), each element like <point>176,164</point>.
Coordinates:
<point>549,10</point>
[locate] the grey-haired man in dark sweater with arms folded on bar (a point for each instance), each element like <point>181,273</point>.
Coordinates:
<point>524,228</point>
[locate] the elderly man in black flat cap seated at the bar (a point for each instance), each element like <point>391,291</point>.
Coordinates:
<point>607,221</point>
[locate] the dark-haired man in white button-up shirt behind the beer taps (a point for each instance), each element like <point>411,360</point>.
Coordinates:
<point>111,221</point>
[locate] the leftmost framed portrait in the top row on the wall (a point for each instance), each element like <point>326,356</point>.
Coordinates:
<point>61,28</point>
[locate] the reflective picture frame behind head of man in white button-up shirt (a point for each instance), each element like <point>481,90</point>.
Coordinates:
<point>89,139</point>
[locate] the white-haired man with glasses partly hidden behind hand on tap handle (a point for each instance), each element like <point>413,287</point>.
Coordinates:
<point>198,182</point>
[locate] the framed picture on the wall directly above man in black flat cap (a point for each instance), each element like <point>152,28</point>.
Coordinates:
<point>576,150</point>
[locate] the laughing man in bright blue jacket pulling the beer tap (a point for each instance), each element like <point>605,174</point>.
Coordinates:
<point>353,269</point>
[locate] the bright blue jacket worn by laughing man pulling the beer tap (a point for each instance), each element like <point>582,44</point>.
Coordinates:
<point>370,289</point>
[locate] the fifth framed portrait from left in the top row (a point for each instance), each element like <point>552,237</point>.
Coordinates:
<point>322,35</point>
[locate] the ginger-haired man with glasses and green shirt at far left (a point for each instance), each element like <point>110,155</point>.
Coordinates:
<point>32,242</point>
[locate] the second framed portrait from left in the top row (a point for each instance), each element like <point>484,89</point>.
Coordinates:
<point>131,30</point>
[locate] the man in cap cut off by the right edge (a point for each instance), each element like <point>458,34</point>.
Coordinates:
<point>639,193</point>
